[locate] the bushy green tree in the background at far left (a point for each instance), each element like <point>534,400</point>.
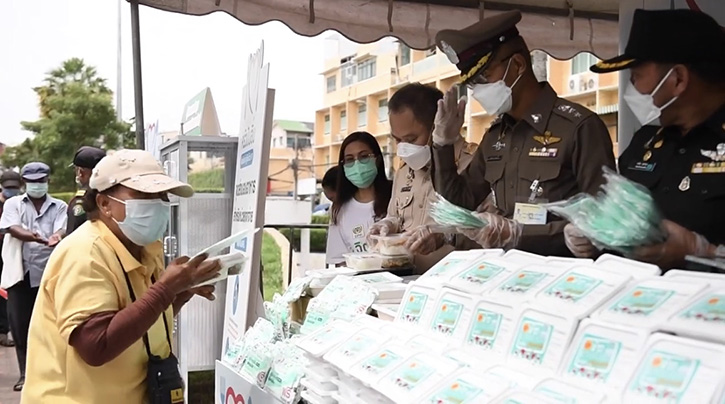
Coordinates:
<point>76,109</point>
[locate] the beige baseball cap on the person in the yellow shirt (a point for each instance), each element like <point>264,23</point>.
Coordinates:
<point>138,170</point>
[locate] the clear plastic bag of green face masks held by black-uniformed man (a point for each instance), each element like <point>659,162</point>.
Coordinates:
<point>621,217</point>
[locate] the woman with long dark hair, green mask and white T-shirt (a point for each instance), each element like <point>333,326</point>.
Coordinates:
<point>363,194</point>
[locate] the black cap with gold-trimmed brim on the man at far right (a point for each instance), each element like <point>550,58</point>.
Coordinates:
<point>669,36</point>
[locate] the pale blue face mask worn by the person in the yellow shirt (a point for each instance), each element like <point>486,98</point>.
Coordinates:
<point>146,220</point>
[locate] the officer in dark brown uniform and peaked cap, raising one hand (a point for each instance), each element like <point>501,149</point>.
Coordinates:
<point>541,148</point>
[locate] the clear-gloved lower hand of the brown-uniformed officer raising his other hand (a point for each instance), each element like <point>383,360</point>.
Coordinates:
<point>499,233</point>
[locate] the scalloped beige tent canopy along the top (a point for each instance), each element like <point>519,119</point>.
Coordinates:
<point>561,28</point>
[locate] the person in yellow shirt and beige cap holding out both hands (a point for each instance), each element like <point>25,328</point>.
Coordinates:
<point>101,327</point>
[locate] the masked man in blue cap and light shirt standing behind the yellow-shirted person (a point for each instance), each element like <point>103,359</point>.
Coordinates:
<point>38,220</point>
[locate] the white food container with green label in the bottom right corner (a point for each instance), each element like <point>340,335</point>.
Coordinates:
<point>676,369</point>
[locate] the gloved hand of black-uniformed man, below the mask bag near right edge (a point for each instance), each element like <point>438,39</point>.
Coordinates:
<point>680,243</point>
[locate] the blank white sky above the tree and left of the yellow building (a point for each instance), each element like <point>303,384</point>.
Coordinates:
<point>180,56</point>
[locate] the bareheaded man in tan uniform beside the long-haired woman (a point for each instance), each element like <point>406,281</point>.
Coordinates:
<point>412,109</point>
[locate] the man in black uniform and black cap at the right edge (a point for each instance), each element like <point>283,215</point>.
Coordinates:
<point>677,92</point>
